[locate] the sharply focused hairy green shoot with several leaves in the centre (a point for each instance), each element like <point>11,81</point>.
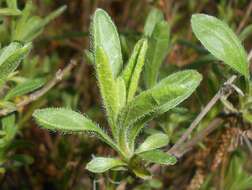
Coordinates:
<point>127,113</point>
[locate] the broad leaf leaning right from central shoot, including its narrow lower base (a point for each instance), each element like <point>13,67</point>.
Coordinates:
<point>167,94</point>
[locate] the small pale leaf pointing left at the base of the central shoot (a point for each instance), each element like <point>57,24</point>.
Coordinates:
<point>103,164</point>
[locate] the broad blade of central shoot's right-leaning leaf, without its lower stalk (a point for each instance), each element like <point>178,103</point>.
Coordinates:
<point>168,93</point>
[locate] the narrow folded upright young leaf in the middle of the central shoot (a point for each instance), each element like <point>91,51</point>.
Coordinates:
<point>131,73</point>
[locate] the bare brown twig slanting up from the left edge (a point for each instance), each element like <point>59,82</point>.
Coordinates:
<point>60,74</point>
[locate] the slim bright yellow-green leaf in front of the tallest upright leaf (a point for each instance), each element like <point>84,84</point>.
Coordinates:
<point>108,87</point>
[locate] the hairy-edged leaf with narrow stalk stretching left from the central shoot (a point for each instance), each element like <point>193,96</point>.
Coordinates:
<point>66,120</point>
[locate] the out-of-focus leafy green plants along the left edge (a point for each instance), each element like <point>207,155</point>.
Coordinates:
<point>17,32</point>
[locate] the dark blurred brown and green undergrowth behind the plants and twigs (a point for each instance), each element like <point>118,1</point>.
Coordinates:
<point>38,159</point>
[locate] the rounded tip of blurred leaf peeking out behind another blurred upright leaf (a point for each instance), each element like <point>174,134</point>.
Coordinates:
<point>153,18</point>
